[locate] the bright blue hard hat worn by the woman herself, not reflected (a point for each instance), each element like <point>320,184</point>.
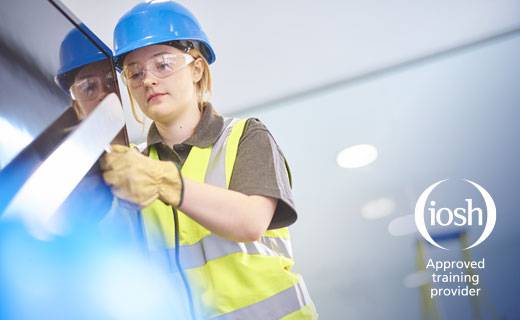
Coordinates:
<point>156,22</point>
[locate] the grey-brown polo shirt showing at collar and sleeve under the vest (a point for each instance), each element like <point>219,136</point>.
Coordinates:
<point>260,167</point>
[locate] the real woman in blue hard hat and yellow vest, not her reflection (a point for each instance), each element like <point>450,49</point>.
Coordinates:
<point>232,191</point>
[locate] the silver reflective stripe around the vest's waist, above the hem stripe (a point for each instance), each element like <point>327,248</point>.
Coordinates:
<point>213,247</point>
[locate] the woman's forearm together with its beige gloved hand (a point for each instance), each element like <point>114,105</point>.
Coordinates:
<point>228,213</point>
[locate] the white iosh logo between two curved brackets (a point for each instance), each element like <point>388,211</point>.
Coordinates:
<point>463,216</point>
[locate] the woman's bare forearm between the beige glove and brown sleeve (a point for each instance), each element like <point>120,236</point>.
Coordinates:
<point>228,213</point>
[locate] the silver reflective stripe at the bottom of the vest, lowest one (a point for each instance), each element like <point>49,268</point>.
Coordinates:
<point>274,307</point>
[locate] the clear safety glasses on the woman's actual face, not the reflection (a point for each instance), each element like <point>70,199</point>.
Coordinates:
<point>161,66</point>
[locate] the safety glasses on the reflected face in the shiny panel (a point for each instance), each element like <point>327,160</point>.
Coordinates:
<point>92,88</point>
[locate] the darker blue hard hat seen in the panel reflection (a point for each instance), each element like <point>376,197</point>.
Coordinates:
<point>76,51</point>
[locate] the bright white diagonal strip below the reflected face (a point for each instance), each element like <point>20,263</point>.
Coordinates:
<point>59,174</point>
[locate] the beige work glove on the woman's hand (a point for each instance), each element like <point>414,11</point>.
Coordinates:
<point>141,180</point>
